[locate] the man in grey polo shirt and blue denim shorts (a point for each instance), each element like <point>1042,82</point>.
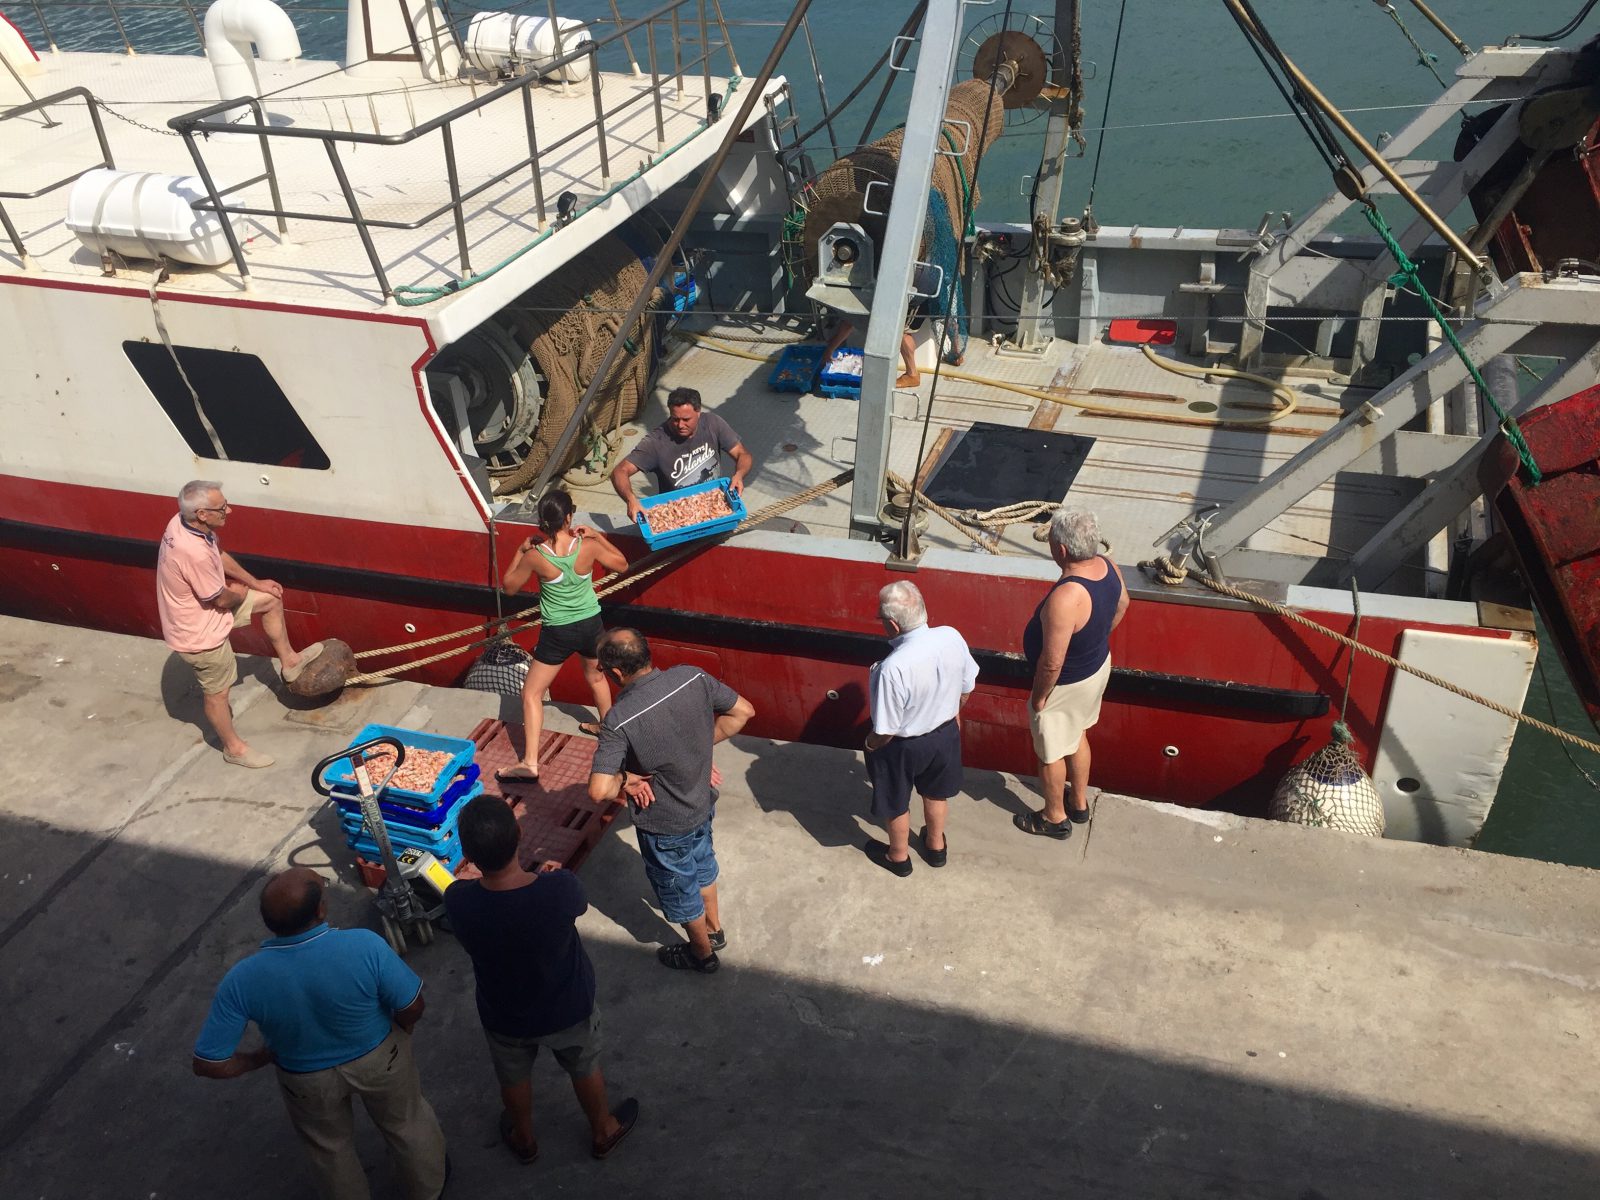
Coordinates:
<point>655,748</point>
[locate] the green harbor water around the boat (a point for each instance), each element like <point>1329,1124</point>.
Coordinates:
<point>1193,135</point>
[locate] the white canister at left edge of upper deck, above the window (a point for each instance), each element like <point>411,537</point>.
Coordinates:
<point>142,215</point>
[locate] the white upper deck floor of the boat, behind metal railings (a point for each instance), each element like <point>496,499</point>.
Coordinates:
<point>324,263</point>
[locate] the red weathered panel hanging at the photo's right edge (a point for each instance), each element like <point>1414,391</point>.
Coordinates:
<point>1554,527</point>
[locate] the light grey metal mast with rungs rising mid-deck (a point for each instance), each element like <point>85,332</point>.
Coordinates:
<point>930,92</point>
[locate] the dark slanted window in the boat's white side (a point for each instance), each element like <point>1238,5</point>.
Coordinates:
<point>242,402</point>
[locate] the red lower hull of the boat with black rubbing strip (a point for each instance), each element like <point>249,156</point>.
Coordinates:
<point>1212,703</point>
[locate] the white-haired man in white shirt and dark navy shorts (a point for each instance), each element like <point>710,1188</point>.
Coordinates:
<point>916,742</point>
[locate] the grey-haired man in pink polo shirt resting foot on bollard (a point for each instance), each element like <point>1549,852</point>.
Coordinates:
<point>204,596</point>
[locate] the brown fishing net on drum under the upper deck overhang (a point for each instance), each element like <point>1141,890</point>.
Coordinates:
<point>567,322</point>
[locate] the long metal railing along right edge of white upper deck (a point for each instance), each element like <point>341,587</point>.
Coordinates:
<point>207,122</point>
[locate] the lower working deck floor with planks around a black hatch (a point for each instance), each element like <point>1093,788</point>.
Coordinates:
<point>1153,463</point>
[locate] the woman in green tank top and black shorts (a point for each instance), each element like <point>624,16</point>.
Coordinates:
<point>570,610</point>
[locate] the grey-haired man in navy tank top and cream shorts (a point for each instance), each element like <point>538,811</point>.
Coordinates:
<point>1068,646</point>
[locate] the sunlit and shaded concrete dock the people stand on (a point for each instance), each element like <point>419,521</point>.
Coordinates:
<point>1167,1006</point>
